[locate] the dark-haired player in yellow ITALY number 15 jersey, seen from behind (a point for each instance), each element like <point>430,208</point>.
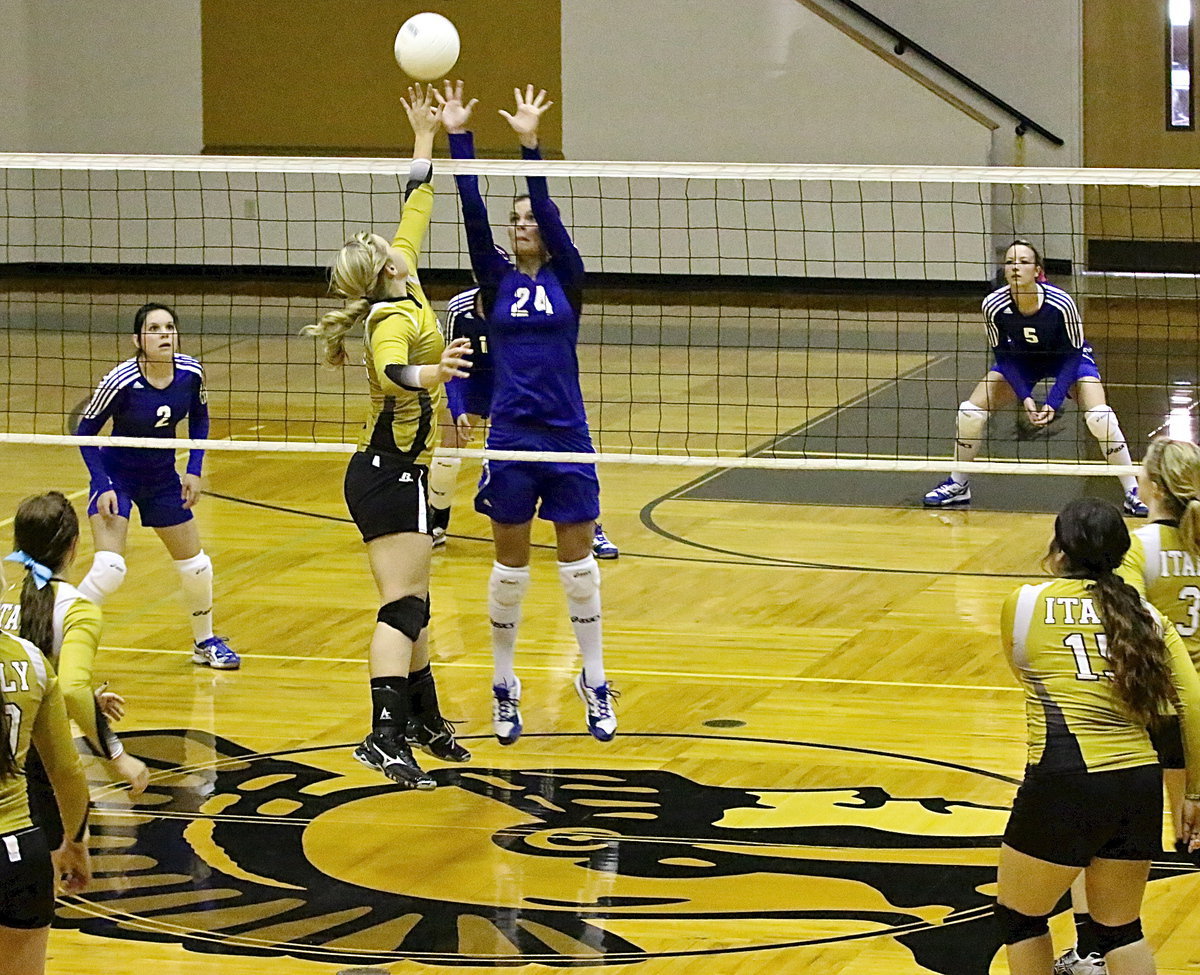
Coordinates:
<point>1097,665</point>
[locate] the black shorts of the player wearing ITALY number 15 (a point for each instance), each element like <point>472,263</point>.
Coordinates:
<point>1075,817</point>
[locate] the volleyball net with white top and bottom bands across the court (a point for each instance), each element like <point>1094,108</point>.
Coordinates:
<point>763,316</point>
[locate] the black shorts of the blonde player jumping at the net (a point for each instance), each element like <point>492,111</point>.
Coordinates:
<point>387,495</point>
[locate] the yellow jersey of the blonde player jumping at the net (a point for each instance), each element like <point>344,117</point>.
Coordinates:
<point>405,332</point>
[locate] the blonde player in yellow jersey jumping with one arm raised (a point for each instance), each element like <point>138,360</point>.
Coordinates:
<point>407,363</point>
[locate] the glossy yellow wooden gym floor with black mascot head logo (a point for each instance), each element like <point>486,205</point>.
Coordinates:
<point>819,739</point>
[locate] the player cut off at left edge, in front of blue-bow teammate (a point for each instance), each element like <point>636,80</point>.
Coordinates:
<point>33,714</point>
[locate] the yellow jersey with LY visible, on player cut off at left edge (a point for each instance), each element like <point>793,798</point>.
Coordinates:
<point>37,716</point>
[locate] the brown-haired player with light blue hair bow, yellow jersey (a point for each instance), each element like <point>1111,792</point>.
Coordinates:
<point>65,626</point>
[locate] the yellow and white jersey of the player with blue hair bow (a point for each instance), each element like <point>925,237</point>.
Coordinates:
<point>77,626</point>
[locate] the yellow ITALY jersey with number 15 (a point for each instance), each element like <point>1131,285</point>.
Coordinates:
<point>1076,722</point>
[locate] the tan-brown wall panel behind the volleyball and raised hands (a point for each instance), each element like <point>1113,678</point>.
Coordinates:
<point>319,76</point>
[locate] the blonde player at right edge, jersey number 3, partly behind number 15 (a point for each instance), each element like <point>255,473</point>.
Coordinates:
<point>1163,564</point>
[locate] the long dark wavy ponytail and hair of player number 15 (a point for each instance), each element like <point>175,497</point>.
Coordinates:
<point>1093,539</point>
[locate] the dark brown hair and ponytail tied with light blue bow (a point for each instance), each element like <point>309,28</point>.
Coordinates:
<point>45,529</point>
